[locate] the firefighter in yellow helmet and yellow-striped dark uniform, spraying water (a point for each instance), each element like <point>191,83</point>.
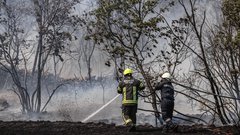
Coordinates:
<point>129,89</point>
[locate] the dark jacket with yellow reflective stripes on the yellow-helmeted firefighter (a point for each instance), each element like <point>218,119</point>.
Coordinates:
<point>129,89</point>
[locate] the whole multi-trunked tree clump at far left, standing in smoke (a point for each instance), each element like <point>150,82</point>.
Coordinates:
<point>55,24</point>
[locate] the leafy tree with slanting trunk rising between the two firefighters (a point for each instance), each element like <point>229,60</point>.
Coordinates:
<point>129,30</point>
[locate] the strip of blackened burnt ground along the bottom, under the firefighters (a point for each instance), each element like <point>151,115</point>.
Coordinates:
<point>78,128</point>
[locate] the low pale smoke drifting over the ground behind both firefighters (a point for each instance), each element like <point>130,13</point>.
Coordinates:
<point>77,100</point>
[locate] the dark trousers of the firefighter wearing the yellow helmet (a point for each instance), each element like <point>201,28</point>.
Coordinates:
<point>129,114</point>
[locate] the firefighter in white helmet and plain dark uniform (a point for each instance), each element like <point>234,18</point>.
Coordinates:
<point>167,101</point>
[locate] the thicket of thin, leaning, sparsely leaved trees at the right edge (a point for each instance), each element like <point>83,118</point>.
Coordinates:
<point>214,80</point>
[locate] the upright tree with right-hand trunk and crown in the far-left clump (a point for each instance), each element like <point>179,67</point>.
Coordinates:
<point>54,22</point>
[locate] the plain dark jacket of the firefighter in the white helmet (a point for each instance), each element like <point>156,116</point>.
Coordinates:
<point>167,89</point>
